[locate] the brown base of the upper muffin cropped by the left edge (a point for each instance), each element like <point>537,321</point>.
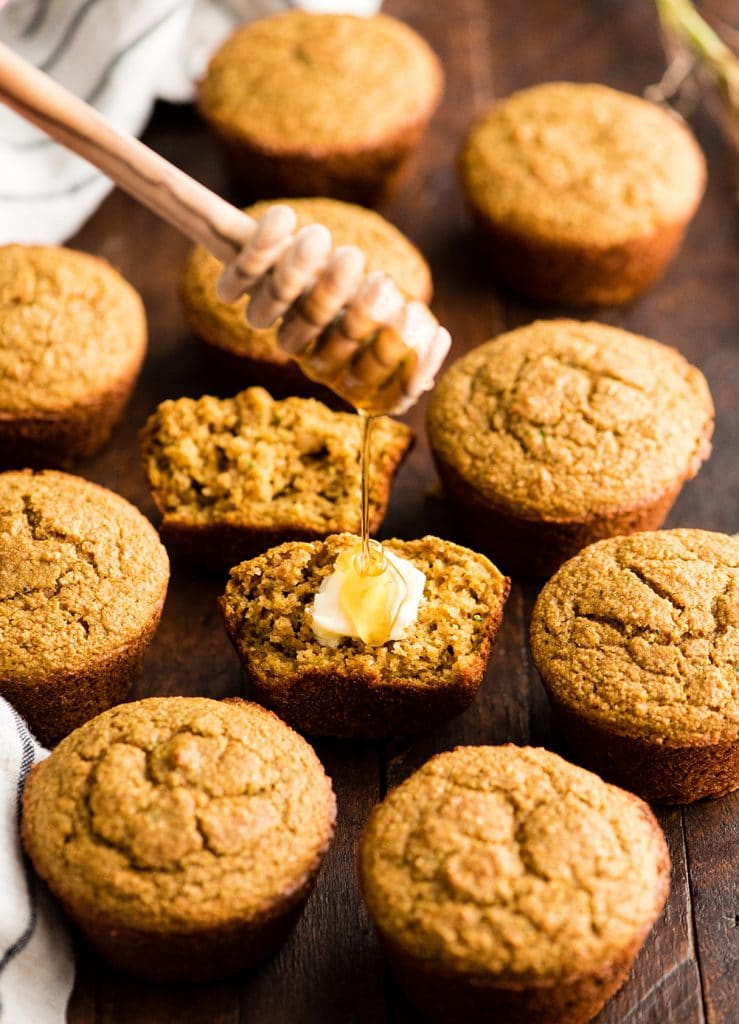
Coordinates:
<point>60,439</point>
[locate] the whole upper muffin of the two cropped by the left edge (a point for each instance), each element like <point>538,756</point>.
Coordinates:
<point>73,337</point>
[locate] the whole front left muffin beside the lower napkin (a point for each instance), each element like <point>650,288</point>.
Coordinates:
<point>183,836</point>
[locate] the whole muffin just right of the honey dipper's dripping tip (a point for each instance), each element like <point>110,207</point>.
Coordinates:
<point>560,434</point>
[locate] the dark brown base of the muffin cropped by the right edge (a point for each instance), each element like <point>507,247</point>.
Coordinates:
<point>660,773</point>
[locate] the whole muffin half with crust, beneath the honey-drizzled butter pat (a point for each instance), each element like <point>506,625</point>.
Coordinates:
<point>354,690</point>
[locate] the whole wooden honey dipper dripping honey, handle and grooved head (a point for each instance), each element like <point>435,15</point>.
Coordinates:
<point>353,332</point>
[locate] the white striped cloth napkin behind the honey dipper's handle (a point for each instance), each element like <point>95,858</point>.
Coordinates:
<point>120,56</point>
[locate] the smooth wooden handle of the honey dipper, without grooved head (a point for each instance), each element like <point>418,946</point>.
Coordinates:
<point>171,194</point>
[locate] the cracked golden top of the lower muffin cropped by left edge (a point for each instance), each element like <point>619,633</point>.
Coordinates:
<point>82,574</point>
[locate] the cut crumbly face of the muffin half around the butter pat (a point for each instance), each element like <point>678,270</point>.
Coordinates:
<point>267,601</point>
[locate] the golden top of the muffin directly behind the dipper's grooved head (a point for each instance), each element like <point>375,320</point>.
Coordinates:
<point>386,249</point>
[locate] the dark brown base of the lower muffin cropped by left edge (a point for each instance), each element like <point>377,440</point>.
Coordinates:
<point>55,707</point>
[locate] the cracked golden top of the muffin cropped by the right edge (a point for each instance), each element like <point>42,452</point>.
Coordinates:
<point>641,634</point>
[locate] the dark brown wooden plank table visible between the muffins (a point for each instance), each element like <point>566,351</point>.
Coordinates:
<point>331,971</point>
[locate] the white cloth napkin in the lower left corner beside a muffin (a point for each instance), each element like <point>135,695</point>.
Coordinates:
<point>36,964</point>
